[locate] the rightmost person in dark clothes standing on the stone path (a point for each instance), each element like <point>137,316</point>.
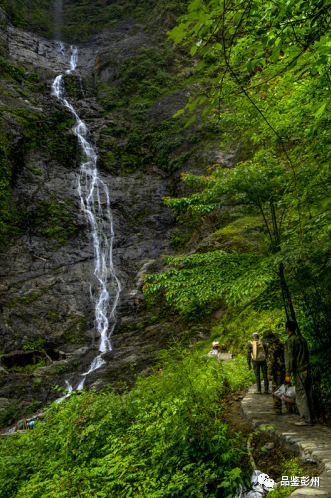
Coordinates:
<point>297,368</point>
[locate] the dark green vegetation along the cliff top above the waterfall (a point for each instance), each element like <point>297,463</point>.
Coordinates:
<point>72,21</point>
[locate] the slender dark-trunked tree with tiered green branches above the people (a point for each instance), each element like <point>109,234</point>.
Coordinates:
<point>290,264</point>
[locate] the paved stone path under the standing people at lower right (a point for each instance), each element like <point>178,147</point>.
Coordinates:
<point>311,443</point>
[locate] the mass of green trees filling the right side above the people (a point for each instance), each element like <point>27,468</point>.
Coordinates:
<point>269,90</point>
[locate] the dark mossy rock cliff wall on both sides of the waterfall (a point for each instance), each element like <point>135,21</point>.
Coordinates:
<point>129,83</point>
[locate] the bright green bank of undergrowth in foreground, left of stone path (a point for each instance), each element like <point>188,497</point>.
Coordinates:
<point>164,438</point>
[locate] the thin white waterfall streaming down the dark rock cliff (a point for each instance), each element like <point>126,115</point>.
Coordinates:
<point>91,190</point>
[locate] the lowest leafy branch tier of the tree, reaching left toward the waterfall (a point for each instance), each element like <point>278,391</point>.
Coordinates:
<point>206,279</point>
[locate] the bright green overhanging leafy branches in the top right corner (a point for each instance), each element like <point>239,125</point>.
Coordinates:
<point>253,45</point>
